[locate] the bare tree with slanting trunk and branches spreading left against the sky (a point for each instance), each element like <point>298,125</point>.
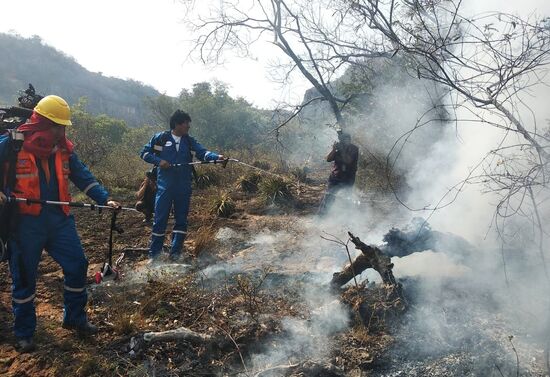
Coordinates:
<point>306,33</point>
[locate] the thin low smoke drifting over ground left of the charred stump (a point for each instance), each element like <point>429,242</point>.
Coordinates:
<point>294,254</point>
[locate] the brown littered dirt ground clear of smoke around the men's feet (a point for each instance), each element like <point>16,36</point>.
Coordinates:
<point>235,309</point>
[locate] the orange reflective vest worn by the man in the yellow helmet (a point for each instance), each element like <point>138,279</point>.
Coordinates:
<point>28,182</point>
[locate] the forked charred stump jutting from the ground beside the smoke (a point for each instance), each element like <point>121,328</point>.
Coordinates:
<point>371,257</point>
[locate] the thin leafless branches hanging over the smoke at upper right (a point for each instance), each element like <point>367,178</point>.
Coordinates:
<point>490,64</point>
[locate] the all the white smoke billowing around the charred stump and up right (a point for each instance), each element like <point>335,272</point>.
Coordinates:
<point>457,304</point>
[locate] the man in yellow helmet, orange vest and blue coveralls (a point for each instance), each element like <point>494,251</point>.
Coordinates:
<point>43,167</point>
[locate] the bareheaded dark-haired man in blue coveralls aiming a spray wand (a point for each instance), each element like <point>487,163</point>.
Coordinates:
<point>165,150</point>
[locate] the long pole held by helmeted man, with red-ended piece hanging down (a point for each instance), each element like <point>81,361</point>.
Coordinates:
<point>108,270</point>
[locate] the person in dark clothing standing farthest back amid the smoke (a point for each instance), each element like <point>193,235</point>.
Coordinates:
<point>344,156</point>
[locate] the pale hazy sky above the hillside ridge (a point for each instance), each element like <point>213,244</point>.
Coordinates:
<point>146,41</point>
